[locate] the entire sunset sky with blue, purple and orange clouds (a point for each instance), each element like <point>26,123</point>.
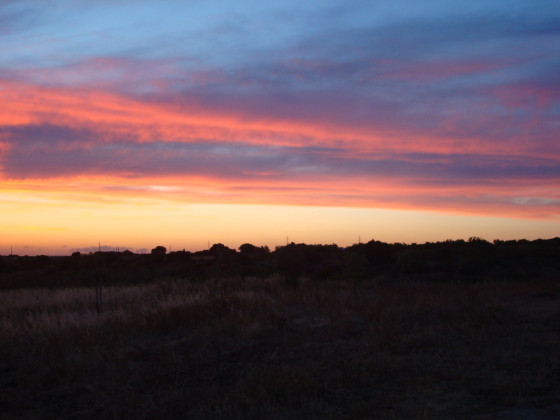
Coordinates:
<point>131,124</point>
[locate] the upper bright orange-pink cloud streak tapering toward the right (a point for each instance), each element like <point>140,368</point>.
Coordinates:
<point>116,116</point>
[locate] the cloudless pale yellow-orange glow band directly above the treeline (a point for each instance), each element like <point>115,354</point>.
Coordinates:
<point>62,225</point>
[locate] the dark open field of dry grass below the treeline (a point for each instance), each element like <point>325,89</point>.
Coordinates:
<point>268,348</point>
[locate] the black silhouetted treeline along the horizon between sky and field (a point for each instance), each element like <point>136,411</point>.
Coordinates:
<point>472,260</point>
